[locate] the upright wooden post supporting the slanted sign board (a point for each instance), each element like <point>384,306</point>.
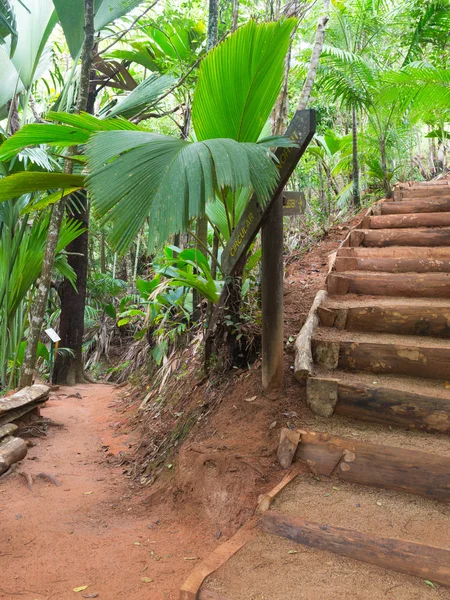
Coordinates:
<point>272,298</point>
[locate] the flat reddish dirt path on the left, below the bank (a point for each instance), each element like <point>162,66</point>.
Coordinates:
<point>93,530</point>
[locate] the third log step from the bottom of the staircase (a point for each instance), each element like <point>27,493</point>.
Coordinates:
<point>381,402</point>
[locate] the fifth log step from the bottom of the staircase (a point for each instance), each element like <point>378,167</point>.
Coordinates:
<point>402,319</point>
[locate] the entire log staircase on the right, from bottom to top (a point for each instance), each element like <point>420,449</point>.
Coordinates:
<point>375,348</point>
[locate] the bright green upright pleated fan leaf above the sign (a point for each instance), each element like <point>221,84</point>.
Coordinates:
<point>239,82</point>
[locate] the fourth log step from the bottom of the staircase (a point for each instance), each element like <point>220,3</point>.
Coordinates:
<point>414,356</point>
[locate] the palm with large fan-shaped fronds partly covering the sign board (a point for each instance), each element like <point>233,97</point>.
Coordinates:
<point>134,175</point>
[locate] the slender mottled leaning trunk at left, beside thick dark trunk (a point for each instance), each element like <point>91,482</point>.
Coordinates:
<point>41,299</point>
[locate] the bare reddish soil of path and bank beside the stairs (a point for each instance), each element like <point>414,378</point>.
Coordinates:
<point>98,529</point>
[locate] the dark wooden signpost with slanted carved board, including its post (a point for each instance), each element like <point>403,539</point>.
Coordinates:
<point>270,219</point>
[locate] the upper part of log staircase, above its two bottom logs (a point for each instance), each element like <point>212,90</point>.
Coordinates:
<point>382,348</point>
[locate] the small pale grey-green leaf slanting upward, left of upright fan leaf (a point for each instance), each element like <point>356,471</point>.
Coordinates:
<point>145,95</point>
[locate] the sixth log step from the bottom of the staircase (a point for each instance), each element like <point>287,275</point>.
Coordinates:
<point>433,285</point>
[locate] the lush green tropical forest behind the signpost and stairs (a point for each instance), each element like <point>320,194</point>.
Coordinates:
<point>133,134</point>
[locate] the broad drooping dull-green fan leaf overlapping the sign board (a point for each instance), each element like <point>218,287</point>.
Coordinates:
<point>137,174</point>
